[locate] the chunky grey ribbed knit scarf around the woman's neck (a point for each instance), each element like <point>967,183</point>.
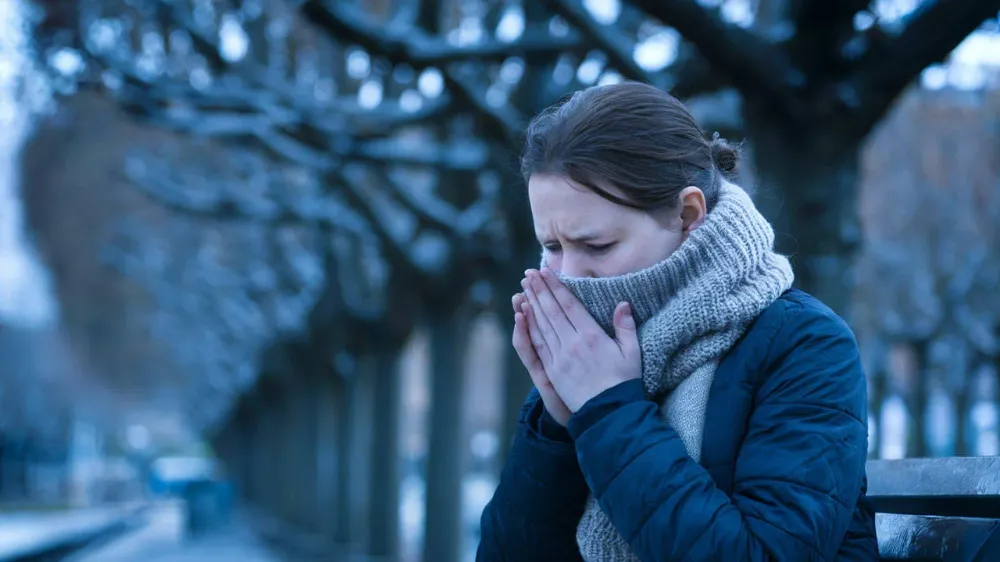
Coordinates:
<point>690,309</point>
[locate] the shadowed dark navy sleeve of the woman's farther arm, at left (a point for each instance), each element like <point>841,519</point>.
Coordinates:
<point>537,505</point>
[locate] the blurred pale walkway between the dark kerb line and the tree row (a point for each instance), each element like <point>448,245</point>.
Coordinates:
<point>162,540</point>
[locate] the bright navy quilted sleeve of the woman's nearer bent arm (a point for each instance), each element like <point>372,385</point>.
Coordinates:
<point>797,475</point>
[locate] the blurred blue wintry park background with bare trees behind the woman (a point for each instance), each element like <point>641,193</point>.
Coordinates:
<point>256,255</point>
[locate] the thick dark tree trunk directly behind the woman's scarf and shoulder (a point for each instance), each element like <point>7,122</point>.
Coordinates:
<point>808,190</point>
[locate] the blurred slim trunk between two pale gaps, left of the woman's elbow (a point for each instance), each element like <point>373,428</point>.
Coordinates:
<point>442,533</point>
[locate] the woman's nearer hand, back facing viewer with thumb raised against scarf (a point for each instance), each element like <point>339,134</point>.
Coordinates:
<point>579,358</point>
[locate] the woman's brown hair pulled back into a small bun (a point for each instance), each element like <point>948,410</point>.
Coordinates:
<point>630,143</point>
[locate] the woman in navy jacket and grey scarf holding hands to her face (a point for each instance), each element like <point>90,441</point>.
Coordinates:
<point>688,404</point>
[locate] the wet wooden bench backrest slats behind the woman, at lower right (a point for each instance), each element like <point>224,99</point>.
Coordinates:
<point>944,509</point>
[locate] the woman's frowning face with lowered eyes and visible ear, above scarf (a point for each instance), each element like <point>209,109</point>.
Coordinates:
<point>585,235</point>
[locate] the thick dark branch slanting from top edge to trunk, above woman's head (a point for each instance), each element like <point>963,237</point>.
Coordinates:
<point>754,66</point>
